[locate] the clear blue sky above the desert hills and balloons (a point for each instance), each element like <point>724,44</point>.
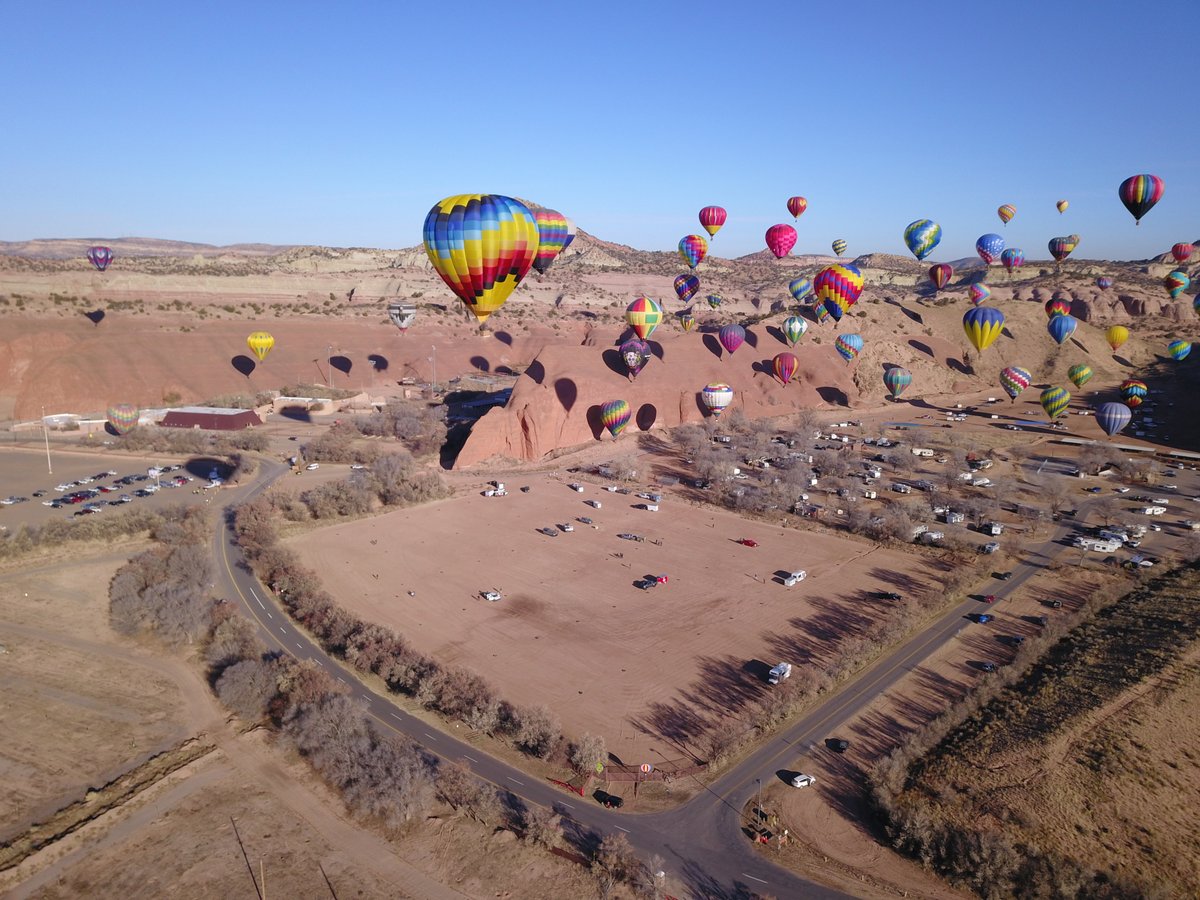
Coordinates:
<point>341,124</point>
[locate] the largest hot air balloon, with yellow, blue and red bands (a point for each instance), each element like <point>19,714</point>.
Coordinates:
<point>483,247</point>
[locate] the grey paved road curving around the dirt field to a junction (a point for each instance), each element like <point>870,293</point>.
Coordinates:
<point>701,842</point>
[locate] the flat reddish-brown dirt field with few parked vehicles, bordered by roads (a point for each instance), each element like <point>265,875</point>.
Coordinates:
<point>574,633</point>
